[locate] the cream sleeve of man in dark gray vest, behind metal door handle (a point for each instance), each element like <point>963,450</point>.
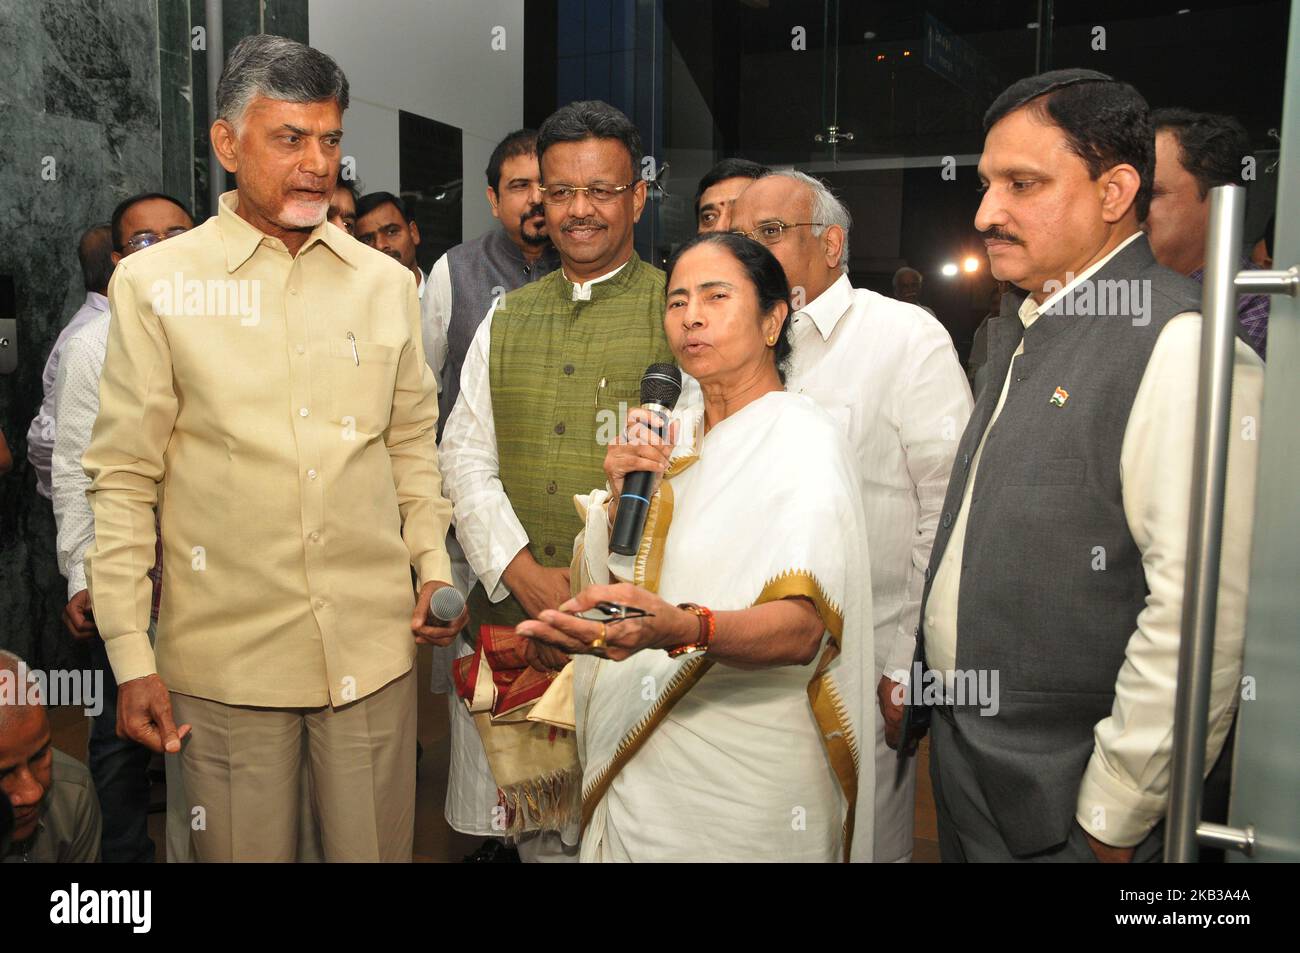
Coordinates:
<point>1125,789</point>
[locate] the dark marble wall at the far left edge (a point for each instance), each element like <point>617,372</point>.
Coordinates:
<point>80,103</point>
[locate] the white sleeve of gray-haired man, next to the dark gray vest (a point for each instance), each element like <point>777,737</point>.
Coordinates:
<point>933,411</point>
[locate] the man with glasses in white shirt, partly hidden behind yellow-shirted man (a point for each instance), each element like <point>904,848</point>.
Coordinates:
<point>119,766</point>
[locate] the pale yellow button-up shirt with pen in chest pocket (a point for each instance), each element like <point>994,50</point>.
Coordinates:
<point>279,411</point>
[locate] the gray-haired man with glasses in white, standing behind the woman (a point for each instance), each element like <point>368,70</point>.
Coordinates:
<point>889,374</point>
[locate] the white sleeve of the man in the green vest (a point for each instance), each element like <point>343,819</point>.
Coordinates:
<point>487,526</point>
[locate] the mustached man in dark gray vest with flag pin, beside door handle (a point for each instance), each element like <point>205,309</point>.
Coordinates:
<point>1055,592</point>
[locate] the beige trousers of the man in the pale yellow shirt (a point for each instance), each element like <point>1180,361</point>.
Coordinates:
<point>244,774</point>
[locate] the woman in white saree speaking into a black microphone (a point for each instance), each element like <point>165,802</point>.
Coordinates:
<point>733,729</point>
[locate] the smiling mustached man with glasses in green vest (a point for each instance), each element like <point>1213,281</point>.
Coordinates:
<point>554,365</point>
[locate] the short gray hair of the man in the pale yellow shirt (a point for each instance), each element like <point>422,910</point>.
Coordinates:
<point>278,68</point>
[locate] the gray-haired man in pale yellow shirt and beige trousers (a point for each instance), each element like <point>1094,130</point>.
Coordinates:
<point>266,387</point>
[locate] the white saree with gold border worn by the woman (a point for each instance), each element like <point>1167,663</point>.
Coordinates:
<point>686,760</point>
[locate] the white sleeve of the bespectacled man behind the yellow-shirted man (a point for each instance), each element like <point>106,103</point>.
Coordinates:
<point>77,401</point>
